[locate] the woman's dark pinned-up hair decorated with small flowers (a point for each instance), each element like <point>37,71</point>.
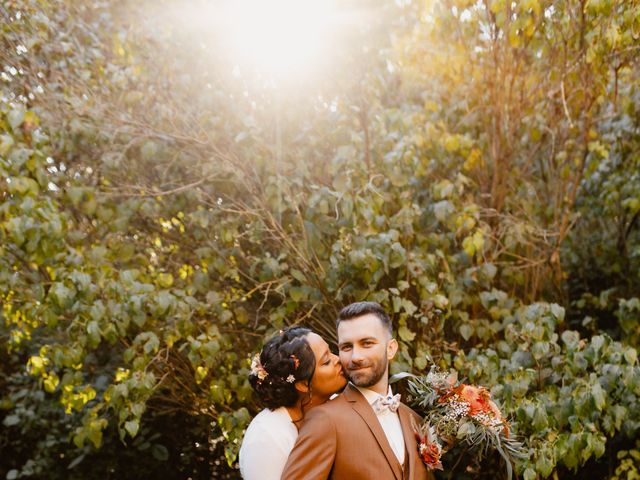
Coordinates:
<point>287,353</point>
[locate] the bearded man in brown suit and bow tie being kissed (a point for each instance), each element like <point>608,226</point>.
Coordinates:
<point>365,433</point>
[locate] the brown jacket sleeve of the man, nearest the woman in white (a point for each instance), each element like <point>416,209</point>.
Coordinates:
<point>314,453</point>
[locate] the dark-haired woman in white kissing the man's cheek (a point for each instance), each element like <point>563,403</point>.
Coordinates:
<point>294,372</point>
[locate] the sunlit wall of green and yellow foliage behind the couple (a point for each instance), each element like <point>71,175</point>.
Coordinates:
<point>152,235</point>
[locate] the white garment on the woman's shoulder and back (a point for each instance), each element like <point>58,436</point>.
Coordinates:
<point>267,444</point>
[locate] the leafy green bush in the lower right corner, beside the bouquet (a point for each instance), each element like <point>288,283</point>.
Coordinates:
<point>568,395</point>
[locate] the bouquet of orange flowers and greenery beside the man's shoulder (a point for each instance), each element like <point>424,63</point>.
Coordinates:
<point>458,414</point>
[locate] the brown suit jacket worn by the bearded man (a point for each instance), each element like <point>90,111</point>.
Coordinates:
<point>343,440</point>
